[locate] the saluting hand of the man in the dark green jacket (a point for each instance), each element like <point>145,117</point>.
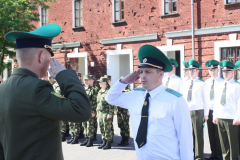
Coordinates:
<point>55,67</point>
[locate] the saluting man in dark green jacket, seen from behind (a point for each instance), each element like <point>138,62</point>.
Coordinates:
<point>30,110</point>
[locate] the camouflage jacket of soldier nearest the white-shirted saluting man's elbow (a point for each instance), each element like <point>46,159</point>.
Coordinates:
<point>102,104</point>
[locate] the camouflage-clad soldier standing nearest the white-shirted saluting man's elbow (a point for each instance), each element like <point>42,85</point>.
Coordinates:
<point>105,114</point>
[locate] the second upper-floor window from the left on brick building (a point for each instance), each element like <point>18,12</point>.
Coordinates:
<point>78,21</point>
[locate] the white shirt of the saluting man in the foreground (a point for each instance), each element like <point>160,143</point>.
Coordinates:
<point>169,134</point>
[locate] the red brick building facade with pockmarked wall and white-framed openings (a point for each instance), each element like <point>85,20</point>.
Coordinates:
<point>103,36</point>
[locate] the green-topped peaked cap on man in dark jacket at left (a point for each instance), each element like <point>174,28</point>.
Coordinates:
<point>40,38</point>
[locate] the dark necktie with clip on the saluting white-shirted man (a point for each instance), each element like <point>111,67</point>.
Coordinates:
<point>141,138</point>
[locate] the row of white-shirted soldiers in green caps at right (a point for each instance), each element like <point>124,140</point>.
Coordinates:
<point>215,101</point>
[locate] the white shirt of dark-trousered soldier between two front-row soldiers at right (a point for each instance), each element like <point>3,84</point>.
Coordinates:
<point>208,85</point>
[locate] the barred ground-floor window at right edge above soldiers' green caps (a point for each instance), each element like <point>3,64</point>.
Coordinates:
<point>231,54</point>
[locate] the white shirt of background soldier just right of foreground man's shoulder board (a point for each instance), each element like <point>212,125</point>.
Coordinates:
<point>197,101</point>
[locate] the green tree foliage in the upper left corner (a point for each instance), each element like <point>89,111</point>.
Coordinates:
<point>16,15</point>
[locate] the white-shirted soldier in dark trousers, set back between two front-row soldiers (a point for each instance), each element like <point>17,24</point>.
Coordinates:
<point>211,84</point>
